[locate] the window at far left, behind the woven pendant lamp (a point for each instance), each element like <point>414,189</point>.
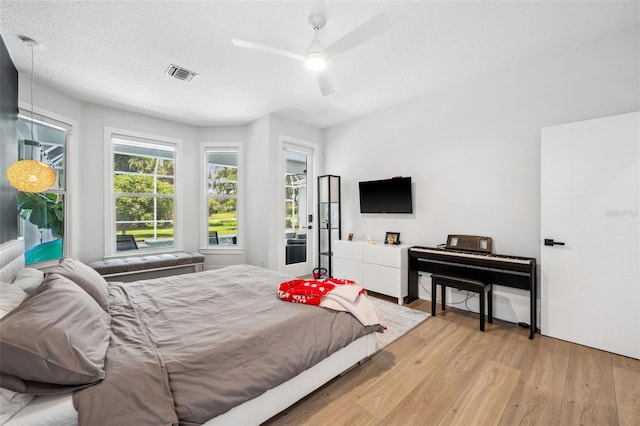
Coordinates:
<point>42,215</point>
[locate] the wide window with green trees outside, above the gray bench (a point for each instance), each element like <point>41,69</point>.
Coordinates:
<point>143,194</point>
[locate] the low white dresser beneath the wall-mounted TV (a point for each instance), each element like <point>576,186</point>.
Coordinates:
<point>376,266</point>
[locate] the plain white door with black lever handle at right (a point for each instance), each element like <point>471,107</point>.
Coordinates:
<point>590,184</point>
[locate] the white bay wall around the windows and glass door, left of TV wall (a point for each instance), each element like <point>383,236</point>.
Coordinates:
<point>260,141</point>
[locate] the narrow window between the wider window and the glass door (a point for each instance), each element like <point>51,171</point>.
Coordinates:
<point>222,192</point>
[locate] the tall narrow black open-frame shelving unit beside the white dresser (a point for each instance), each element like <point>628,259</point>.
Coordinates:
<point>329,219</point>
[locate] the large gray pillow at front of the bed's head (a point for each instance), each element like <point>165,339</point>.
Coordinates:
<point>58,336</point>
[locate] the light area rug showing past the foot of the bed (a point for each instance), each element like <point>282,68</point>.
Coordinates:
<point>399,319</point>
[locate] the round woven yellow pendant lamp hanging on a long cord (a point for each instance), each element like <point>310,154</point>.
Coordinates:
<point>31,175</point>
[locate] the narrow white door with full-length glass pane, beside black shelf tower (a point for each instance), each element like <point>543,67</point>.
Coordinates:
<point>297,210</point>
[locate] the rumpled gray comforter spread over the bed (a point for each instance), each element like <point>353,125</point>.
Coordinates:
<point>188,348</point>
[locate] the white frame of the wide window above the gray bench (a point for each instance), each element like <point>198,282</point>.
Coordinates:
<point>110,228</point>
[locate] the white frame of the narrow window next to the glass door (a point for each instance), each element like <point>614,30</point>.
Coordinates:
<point>205,149</point>
